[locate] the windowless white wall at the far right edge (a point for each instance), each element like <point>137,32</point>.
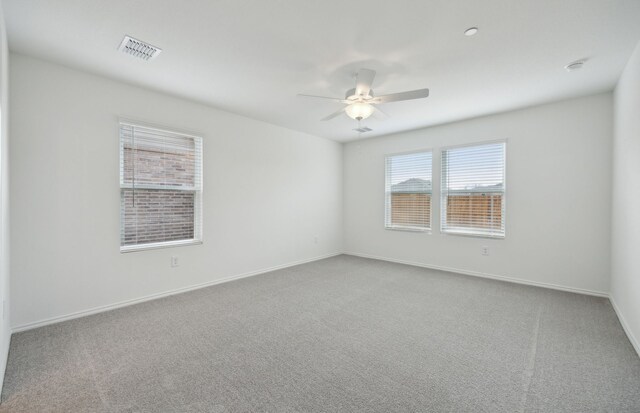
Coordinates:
<point>625,240</point>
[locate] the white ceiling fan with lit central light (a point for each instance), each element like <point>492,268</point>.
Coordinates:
<point>361,101</point>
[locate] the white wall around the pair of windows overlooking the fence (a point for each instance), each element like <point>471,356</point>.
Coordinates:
<point>558,196</point>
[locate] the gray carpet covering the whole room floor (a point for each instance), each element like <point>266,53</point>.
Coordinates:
<point>342,334</point>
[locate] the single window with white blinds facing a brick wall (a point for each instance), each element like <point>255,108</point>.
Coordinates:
<point>160,188</point>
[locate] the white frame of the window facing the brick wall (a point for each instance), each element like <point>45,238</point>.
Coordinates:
<point>198,199</point>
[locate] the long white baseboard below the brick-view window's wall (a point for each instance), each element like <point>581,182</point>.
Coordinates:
<point>101,309</point>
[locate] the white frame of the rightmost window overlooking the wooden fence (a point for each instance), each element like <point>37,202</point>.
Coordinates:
<point>444,192</point>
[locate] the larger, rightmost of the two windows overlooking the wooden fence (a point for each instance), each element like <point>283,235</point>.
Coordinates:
<point>473,189</point>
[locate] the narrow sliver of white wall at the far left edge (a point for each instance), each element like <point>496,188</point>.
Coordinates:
<point>5,327</point>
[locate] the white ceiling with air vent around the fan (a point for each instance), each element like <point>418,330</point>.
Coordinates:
<point>253,56</point>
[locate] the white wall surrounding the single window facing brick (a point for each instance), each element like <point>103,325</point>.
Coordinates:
<point>268,191</point>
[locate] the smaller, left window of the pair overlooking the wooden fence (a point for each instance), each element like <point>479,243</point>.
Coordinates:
<point>408,191</point>
